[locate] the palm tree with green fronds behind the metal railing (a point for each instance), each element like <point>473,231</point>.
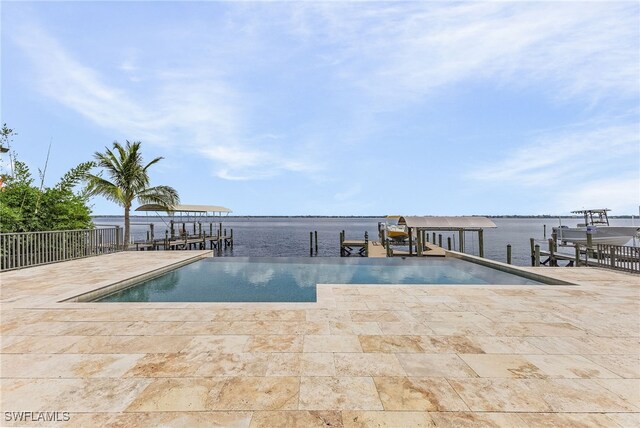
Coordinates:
<point>129,180</point>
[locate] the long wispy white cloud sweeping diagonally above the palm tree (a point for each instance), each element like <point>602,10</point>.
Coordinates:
<point>188,109</point>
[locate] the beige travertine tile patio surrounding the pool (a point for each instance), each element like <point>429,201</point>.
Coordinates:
<point>395,356</point>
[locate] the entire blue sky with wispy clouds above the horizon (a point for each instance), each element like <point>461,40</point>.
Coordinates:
<point>338,108</point>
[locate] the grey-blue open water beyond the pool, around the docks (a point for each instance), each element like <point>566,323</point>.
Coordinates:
<point>289,237</point>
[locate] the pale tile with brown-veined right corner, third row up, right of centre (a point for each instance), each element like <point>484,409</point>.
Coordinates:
<point>502,366</point>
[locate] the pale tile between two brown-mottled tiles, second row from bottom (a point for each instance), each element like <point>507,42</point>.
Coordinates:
<point>338,393</point>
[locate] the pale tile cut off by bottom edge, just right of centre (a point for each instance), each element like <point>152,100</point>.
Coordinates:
<point>363,419</point>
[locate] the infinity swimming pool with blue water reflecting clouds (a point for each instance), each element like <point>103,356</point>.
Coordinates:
<point>284,279</point>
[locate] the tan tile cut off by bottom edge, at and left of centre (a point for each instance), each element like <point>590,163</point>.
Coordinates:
<point>296,419</point>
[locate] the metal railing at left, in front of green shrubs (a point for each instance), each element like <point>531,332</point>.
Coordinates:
<point>24,249</point>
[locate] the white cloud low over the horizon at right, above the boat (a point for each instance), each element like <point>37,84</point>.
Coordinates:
<point>597,167</point>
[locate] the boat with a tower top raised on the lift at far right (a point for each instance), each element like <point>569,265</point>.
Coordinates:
<point>596,223</point>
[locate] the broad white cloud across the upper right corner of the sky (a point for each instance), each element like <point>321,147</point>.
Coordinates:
<point>403,51</point>
